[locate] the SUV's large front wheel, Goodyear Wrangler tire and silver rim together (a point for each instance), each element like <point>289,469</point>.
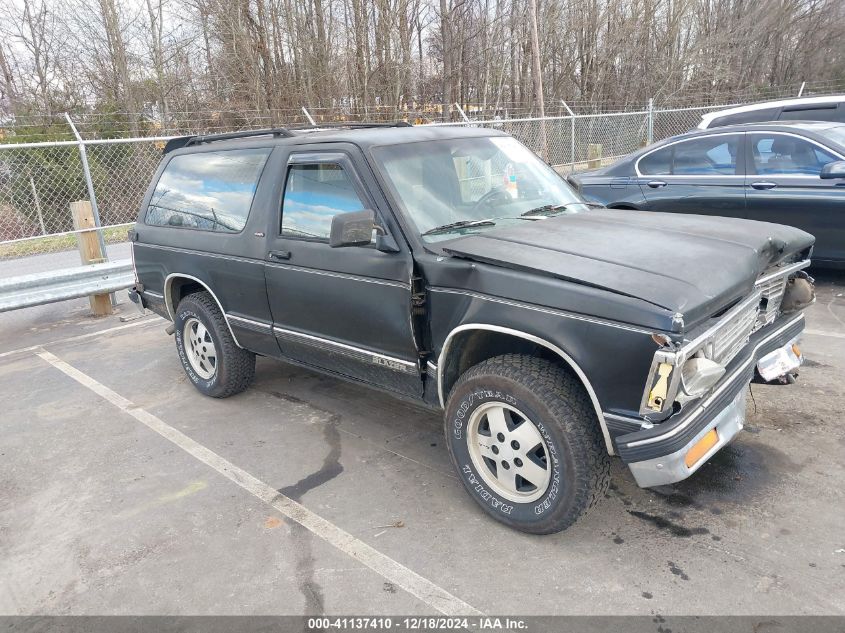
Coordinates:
<point>523,436</point>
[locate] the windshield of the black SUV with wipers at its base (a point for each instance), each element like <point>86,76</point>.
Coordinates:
<point>463,185</point>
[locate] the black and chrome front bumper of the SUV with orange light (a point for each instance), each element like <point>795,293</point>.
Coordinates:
<point>658,455</point>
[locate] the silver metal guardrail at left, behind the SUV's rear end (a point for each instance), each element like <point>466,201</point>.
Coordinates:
<point>70,283</point>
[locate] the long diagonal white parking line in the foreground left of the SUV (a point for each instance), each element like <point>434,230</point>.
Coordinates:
<point>422,588</point>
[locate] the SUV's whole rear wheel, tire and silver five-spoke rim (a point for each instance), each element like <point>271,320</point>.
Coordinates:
<point>211,358</point>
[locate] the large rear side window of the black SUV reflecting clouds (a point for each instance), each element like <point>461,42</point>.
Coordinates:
<point>210,191</point>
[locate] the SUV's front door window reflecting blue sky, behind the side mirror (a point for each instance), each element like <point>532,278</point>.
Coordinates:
<point>314,194</point>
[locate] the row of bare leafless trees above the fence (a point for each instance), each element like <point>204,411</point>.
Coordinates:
<point>190,64</point>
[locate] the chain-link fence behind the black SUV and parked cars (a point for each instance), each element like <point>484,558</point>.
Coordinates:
<point>38,181</point>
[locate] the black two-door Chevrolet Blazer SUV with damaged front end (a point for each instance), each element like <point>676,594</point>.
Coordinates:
<point>453,267</point>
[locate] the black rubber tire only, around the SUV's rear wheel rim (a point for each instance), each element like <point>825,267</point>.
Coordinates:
<point>235,368</point>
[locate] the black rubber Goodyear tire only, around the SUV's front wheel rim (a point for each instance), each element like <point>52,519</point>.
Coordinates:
<point>560,408</point>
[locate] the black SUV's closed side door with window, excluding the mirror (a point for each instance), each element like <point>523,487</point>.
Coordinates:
<point>343,310</point>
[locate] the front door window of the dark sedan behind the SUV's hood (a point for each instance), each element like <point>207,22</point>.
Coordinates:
<point>780,154</point>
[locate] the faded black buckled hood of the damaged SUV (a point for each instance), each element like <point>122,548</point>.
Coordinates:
<point>688,264</point>
